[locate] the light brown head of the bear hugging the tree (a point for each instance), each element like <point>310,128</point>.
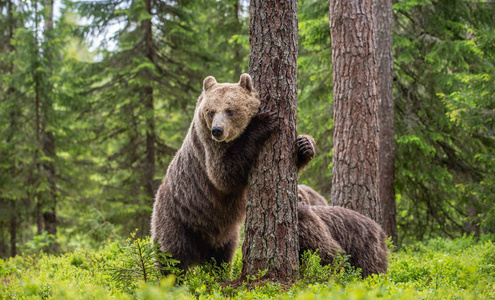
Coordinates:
<point>227,108</point>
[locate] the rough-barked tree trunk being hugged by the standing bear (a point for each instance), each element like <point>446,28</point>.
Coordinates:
<point>271,239</point>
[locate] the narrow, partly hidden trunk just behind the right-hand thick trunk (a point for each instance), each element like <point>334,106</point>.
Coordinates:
<point>385,67</point>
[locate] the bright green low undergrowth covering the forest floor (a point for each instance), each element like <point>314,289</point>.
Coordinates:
<point>438,269</point>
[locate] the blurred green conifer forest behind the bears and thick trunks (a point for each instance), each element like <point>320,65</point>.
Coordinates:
<point>97,97</point>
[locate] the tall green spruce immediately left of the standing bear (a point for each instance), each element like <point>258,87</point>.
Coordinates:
<point>145,72</point>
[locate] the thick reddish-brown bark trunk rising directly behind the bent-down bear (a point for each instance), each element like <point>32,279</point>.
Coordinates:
<point>355,178</point>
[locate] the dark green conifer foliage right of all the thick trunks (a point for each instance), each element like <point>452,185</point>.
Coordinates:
<point>442,169</point>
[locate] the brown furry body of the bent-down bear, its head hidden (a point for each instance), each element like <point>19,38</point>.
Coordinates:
<point>332,229</point>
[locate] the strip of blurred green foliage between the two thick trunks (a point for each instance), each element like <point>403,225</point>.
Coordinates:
<point>315,95</point>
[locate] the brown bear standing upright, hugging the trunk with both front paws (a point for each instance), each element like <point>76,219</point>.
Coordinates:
<point>200,205</point>
